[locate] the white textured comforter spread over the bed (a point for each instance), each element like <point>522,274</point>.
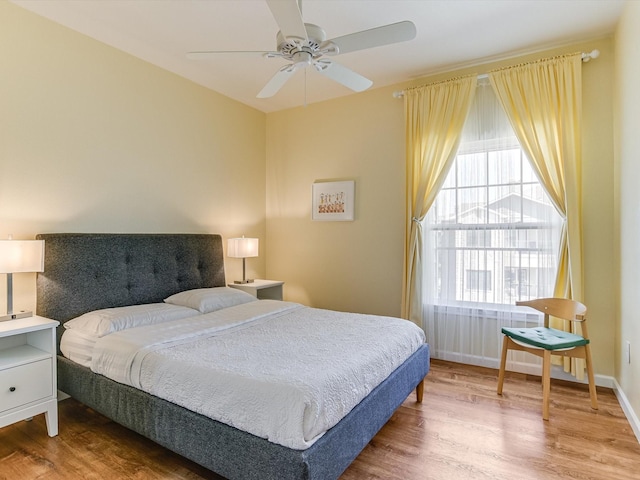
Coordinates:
<point>278,370</point>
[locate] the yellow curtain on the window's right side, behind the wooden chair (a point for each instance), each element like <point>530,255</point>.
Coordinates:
<point>543,101</point>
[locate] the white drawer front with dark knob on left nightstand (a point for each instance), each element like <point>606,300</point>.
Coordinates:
<point>25,384</point>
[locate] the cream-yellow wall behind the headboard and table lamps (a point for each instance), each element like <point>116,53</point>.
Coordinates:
<point>92,139</point>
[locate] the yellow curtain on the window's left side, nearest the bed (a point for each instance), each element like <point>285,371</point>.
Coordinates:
<point>435,115</point>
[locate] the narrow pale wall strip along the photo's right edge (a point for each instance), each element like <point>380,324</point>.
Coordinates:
<point>627,123</point>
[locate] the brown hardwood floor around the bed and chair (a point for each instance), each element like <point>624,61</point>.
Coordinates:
<point>462,430</point>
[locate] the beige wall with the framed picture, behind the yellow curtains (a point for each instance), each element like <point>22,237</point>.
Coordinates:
<point>357,266</point>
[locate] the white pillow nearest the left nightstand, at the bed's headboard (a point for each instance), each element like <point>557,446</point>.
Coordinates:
<point>109,320</point>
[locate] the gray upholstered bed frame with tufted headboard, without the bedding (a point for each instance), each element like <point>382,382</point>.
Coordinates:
<point>88,272</point>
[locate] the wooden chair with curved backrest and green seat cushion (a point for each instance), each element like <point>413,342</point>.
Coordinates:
<point>545,341</point>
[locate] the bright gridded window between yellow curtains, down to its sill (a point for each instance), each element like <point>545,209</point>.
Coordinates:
<point>492,235</point>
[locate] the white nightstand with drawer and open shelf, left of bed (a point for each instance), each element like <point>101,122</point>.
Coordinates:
<point>28,384</point>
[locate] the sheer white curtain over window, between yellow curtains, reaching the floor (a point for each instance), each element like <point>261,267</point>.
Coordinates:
<point>490,238</point>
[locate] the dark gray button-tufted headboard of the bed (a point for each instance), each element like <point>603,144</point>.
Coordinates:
<point>87,271</point>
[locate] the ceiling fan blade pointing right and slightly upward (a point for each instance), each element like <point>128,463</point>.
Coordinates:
<point>374,37</point>
